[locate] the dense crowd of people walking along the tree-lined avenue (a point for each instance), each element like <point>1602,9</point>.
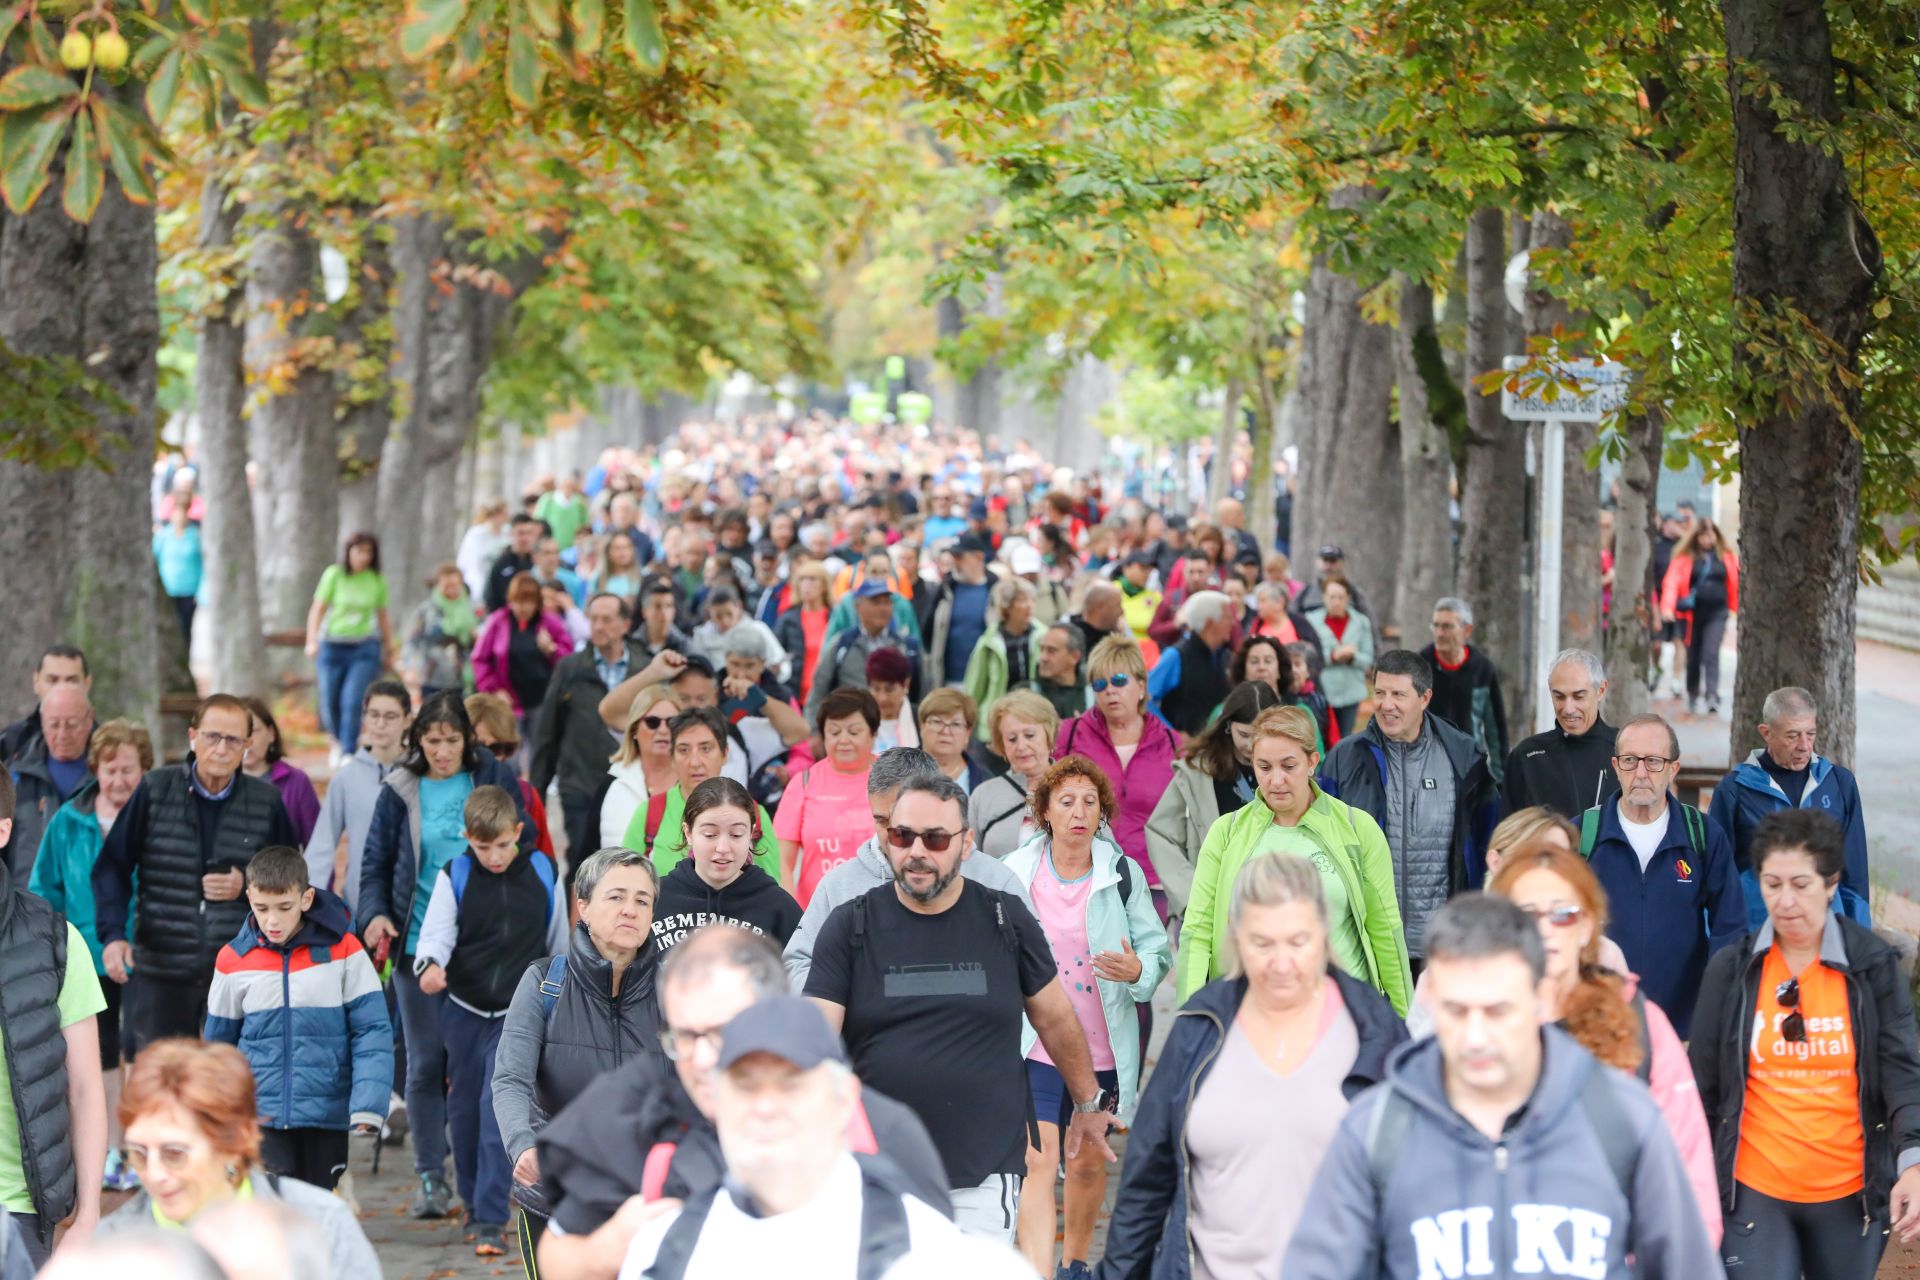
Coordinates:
<point>769,847</point>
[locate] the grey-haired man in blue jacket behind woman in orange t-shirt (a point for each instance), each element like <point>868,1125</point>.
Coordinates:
<point>1790,774</point>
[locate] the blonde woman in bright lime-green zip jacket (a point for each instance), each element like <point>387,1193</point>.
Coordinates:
<point>1295,817</point>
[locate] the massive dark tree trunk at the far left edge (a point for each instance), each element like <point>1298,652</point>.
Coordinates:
<point>84,536</point>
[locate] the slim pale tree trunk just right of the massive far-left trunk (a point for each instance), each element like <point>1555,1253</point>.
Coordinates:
<point>220,394</point>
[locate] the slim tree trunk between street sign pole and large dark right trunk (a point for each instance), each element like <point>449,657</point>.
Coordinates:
<point>1629,627</point>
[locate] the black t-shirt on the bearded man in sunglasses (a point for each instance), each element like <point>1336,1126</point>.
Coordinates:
<point>934,1008</point>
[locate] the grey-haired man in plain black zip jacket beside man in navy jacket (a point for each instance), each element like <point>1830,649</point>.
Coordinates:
<point>1568,769</point>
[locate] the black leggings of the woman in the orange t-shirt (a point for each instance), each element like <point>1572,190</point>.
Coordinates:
<point>1783,1241</point>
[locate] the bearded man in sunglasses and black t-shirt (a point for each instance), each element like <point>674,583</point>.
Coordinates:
<point>930,982</point>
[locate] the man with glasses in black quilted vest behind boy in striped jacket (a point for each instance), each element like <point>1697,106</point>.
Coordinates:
<point>189,830</point>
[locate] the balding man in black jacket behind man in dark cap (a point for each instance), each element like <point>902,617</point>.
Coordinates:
<point>646,1131</point>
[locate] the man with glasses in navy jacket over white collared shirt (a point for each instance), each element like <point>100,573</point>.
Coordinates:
<point>1668,870</point>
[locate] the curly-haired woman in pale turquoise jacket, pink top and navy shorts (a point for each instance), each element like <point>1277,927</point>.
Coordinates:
<point>1113,953</point>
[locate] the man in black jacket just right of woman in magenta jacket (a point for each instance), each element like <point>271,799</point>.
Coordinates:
<point>569,738</point>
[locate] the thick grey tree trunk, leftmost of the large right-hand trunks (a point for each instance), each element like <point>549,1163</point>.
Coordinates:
<point>1347,492</point>
